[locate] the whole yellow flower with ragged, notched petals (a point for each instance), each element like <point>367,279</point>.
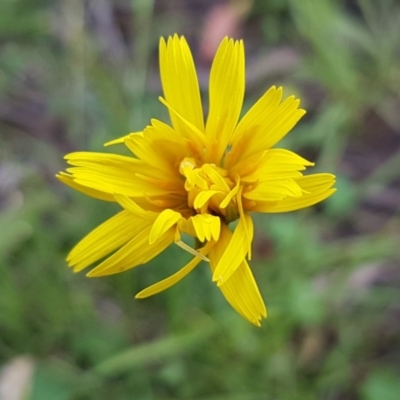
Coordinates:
<point>196,177</point>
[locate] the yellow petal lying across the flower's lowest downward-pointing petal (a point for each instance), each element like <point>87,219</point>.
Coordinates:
<point>235,251</point>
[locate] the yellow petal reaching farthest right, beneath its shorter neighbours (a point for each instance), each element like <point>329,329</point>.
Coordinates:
<point>316,188</point>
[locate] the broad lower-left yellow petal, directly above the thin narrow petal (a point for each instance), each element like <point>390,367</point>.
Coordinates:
<point>137,251</point>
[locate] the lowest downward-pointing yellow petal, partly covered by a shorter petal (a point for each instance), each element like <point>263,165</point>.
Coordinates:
<point>240,290</point>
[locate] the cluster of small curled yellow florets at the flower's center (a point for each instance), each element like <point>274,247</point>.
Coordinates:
<point>210,189</point>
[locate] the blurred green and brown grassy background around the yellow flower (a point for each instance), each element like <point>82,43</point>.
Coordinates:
<point>75,74</point>
